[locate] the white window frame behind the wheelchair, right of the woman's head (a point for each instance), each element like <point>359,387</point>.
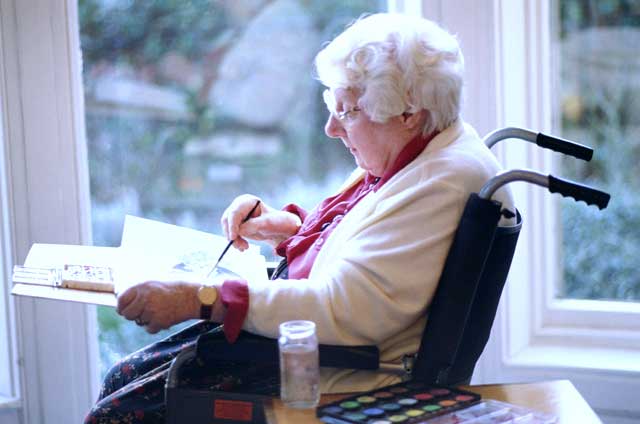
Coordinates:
<point>535,335</point>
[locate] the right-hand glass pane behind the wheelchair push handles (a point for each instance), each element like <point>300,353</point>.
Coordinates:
<point>599,105</point>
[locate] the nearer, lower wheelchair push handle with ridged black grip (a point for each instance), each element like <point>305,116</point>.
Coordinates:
<point>589,195</point>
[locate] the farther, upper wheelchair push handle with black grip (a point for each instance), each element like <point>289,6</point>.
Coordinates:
<point>556,144</point>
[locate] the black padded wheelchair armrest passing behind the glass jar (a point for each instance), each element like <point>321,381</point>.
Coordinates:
<point>251,347</point>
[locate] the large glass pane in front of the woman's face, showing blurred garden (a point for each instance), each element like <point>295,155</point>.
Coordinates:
<point>189,104</point>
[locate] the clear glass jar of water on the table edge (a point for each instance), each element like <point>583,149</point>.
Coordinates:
<point>299,364</point>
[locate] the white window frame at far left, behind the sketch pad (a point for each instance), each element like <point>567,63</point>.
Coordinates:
<point>44,175</point>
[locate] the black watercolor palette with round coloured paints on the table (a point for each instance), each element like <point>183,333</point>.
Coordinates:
<point>408,403</point>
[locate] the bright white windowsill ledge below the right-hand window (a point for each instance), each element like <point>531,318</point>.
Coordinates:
<point>616,360</point>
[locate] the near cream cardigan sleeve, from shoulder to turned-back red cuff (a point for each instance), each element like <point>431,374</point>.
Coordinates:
<point>380,280</point>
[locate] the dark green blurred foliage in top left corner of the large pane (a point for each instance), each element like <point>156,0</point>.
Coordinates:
<point>141,32</point>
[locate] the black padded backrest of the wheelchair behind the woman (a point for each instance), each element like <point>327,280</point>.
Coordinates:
<point>463,308</point>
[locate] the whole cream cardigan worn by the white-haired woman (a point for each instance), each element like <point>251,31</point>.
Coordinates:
<point>376,273</point>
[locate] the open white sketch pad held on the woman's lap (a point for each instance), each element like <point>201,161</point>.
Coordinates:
<point>150,250</point>
